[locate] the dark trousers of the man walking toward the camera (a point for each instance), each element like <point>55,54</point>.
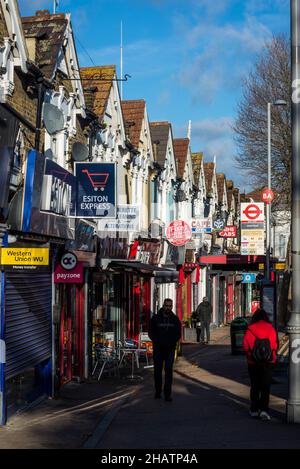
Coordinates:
<point>163,356</point>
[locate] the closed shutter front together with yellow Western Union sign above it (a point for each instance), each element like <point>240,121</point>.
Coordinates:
<point>26,326</point>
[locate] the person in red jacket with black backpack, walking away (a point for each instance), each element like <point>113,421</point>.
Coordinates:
<point>260,344</point>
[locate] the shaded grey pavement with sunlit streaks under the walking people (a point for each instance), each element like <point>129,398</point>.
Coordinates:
<point>210,409</point>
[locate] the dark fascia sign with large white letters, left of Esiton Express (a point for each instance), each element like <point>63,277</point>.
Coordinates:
<point>58,190</point>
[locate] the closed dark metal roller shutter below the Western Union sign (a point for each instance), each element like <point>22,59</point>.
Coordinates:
<point>28,320</point>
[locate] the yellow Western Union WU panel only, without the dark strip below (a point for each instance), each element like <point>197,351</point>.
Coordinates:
<point>25,256</point>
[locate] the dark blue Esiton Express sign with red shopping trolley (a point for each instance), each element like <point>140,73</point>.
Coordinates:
<point>96,190</point>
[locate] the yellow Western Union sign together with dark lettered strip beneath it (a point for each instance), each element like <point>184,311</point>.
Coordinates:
<point>21,258</point>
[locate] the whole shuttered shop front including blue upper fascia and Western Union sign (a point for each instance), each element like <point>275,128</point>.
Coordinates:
<point>27,331</point>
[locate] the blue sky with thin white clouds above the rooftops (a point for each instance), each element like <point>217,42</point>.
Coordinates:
<point>186,58</point>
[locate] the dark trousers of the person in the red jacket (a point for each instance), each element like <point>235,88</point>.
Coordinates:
<point>260,379</point>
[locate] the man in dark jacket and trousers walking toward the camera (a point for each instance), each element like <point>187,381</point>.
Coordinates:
<point>164,331</point>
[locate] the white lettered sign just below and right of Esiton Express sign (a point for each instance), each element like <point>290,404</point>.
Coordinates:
<point>127,220</point>
